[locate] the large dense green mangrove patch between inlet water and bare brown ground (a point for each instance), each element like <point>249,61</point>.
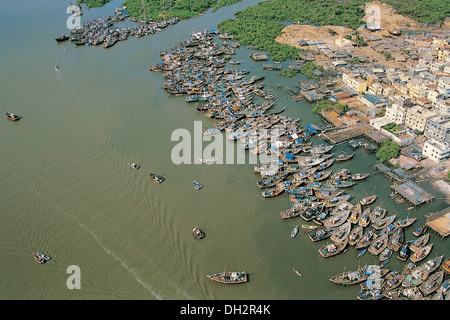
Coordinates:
<point>260,24</point>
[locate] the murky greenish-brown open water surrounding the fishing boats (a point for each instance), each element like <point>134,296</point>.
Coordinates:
<point>67,191</point>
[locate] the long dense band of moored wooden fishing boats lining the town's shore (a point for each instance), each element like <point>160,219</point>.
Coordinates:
<point>197,68</point>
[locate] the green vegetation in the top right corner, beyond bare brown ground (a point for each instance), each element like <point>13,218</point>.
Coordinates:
<point>430,11</point>
